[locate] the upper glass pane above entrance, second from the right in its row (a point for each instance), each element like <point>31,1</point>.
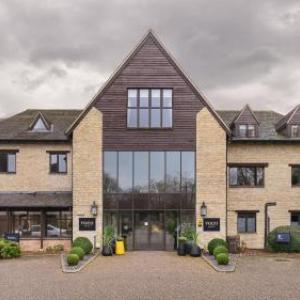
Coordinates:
<point>173,172</point>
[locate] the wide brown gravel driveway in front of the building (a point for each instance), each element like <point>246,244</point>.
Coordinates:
<point>150,275</point>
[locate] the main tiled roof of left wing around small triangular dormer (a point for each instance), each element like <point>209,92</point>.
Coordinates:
<point>17,127</point>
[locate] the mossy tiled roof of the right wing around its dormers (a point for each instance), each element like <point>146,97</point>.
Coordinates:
<point>267,121</point>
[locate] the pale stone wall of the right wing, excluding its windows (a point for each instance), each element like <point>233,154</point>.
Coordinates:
<point>277,188</point>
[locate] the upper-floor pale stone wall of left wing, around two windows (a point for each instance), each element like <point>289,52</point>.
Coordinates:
<point>32,169</point>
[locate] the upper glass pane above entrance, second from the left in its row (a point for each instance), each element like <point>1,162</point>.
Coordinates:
<point>125,171</point>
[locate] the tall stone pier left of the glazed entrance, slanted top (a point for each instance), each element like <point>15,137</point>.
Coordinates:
<point>87,173</point>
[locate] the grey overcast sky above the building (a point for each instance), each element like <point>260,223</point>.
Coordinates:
<point>57,54</point>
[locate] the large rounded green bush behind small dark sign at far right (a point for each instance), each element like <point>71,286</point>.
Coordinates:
<point>293,246</point>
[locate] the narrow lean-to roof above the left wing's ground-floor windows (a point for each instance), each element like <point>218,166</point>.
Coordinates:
<point>38,199</point>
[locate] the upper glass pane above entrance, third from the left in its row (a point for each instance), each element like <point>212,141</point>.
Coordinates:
<point>141,171</point>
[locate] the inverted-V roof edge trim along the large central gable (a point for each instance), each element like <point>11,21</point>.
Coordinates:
<point>149,35</point>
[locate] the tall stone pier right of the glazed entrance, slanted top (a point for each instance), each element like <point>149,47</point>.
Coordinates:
<point>210,173</point>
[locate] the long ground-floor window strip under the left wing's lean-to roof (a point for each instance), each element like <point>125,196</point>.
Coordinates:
<point>36,223</point>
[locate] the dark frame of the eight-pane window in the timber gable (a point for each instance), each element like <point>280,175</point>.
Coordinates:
<point>138,107</point>
